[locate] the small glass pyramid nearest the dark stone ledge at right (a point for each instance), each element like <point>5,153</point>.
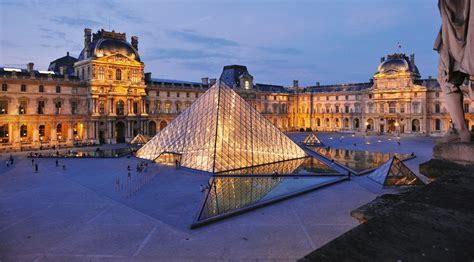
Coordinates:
<point>395,173</point>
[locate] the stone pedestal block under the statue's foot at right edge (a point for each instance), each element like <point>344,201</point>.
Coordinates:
<point>461,153</point>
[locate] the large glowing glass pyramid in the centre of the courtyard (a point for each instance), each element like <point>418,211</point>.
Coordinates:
<point>219,132</point>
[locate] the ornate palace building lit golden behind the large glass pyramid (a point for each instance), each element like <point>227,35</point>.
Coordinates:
<point>104,96</point>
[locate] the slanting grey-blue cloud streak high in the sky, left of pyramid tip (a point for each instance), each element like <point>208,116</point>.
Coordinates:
<point>193,37</point>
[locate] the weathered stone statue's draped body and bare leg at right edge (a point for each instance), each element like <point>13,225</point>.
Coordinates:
<point>455,45</point>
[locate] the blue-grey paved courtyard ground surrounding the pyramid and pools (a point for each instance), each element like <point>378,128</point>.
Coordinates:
<point>76,214</point>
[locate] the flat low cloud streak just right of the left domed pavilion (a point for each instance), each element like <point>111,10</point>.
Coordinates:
<point>181,54</point>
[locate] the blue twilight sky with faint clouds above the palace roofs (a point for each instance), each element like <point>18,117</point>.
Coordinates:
<point>330,41</point>
